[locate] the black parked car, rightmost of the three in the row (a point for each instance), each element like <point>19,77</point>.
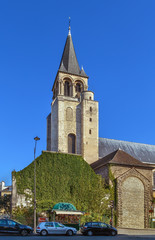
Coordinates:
<point>98,228</point>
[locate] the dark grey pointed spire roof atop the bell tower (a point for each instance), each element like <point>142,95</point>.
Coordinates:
<point>69,63</point>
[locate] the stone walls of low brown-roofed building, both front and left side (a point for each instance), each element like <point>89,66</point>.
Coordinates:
<point>134,193</point>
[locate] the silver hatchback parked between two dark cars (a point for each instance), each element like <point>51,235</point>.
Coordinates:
<point>46,228</point>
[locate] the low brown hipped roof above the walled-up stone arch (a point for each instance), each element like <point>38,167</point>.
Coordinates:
<point>119,157</point>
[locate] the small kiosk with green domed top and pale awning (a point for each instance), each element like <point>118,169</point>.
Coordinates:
<point>66,214</point>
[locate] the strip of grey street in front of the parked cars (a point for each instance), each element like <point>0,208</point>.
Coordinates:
<point>80,237</point>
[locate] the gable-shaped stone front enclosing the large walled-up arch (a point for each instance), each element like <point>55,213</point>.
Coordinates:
<point>134,198</point>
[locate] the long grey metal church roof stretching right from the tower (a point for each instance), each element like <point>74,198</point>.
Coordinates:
<point>143,152</point>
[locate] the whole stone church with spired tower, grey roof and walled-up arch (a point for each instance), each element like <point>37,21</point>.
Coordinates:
<point>72,127</point>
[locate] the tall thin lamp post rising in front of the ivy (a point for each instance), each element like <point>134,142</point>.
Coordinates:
<point>36,139</point>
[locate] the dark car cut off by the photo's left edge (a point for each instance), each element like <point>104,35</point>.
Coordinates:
<point>10,226</point>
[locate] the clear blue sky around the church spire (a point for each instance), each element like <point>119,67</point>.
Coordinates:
<point>115,43</point>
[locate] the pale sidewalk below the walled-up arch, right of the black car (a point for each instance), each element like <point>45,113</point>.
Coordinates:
<point>132,231</point>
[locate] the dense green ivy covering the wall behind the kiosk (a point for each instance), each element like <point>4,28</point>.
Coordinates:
<point>64,178</point>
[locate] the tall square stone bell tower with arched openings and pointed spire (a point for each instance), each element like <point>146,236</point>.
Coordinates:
<point>72,125</point>
